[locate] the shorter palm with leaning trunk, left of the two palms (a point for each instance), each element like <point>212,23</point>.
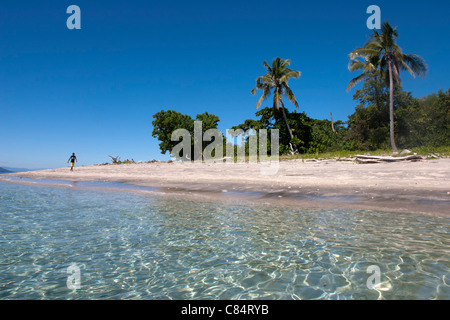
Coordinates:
<point>276,79</point>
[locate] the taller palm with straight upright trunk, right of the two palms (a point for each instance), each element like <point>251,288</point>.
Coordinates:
<point>382,48</point>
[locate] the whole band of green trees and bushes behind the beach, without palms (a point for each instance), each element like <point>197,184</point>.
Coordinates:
<point>419,122</point>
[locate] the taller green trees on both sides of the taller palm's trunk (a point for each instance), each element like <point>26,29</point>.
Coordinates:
<point>418,122</point>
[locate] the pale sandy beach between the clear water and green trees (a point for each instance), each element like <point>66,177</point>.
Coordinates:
<point>420,187</point>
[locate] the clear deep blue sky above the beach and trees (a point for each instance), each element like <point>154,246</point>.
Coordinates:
<point>93,91</point>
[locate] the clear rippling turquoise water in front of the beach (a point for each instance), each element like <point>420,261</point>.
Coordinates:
<point>132,246</point>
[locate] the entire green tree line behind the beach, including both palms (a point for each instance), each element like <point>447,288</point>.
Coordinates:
<point>383,109</point>
